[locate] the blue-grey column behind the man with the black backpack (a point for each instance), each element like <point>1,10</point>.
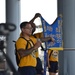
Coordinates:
<point>12,16</point>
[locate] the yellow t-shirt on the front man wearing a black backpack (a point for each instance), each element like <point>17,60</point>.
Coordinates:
<point>29,60</point>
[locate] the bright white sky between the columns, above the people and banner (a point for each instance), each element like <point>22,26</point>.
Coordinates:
<point>47,8</point>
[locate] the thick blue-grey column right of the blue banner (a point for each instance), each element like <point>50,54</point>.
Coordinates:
<point>67,57</point>
